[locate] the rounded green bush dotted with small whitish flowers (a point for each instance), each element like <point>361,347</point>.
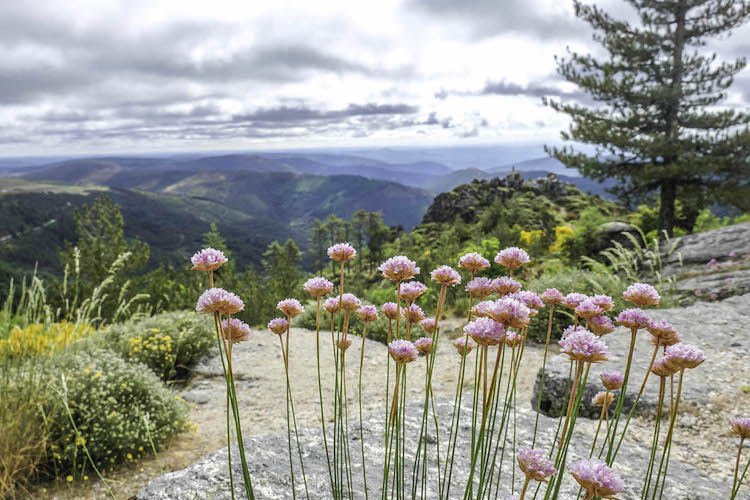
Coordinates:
<point>119,408</point>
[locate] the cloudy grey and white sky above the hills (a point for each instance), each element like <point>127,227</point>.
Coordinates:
<point>95,76</point>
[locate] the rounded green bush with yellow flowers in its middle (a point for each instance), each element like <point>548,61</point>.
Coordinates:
<point>170,343</point>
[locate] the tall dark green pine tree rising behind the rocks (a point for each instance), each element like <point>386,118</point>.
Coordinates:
<point>658,123</point>
